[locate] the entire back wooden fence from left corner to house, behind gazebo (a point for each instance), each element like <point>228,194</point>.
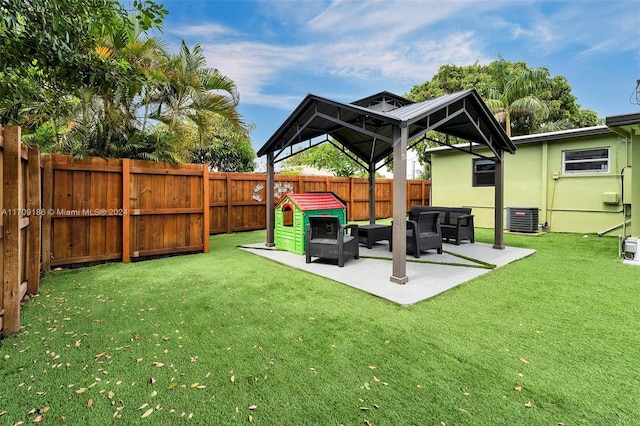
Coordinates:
<point>118,209</point>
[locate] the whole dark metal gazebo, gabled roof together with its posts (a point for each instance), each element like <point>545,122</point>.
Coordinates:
<point>384,124</point>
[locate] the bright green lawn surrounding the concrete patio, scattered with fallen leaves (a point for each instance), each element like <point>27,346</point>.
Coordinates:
<point>229,337</point>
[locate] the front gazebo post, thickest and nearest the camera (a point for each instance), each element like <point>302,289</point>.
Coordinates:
<point>399,231</point>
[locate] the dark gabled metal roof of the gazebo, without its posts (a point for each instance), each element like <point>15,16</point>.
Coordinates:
<point>366,127</point>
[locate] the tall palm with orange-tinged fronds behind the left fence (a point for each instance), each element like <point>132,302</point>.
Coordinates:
<point>126,66</point>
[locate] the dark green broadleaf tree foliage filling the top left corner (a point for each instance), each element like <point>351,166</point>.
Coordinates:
<point>58,38</point>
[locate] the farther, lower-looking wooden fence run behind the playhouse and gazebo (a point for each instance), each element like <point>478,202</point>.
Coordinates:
<point>238,200</point>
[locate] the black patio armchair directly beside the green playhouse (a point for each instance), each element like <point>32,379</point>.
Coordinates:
<point>327,238</point>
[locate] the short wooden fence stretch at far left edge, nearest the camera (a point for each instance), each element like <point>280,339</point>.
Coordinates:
<point>20,225</point>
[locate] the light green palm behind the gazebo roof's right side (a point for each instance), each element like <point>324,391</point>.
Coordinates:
<point>513,92</point>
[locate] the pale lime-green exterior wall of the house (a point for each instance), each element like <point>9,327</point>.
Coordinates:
<point>534,178</point>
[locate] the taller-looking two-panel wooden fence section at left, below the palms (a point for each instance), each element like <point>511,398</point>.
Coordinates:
<point>118,209</point>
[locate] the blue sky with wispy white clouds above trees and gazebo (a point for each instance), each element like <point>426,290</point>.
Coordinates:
<point>278,51</point>
